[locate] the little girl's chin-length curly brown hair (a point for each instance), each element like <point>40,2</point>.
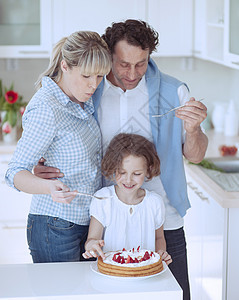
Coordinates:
<point>125,144</point>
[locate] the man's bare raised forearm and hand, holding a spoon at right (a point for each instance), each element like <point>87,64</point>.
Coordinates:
<point>195,145</point>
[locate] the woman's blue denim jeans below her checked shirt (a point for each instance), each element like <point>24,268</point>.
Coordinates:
<point>51,239</point>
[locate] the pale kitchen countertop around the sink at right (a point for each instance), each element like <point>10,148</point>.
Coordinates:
<point>224,198</point>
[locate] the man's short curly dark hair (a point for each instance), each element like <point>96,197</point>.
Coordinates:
<point>135,32</point>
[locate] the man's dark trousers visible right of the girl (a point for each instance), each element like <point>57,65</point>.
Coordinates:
<point>176,247</point>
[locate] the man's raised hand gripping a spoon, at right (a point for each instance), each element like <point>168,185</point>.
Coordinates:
<point>193,114</point>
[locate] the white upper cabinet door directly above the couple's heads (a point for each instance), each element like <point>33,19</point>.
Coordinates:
<point>74,15</point>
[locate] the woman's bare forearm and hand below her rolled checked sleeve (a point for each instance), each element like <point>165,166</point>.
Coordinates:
<point>27,182</point>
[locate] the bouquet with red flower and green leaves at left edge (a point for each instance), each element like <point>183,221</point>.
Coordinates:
<point>12,106</point>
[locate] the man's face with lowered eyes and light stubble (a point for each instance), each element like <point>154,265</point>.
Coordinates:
<point>129,65</point>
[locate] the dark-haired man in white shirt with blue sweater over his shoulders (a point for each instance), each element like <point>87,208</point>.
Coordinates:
<point>127,101</point>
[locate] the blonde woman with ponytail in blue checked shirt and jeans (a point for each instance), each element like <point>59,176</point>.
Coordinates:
<point>58,124</point>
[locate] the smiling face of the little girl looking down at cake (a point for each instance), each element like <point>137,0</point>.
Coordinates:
<point>132,173</point>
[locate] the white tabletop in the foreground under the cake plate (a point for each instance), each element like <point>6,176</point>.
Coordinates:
<point>76,280</point>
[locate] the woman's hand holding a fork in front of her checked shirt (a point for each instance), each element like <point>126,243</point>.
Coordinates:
<point>60,192</point>
